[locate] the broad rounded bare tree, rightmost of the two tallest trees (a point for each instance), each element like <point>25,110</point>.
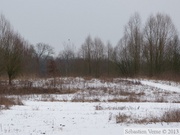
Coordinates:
<point>158,32</point>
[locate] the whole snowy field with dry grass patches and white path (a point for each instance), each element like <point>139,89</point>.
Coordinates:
<point>93,110</point>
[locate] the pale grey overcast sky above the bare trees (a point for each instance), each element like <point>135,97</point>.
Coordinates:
<point>56,21</point>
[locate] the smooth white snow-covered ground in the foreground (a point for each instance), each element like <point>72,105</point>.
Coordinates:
<point>66,118</point>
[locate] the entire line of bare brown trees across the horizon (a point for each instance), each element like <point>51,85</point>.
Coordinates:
<point>149,49</point>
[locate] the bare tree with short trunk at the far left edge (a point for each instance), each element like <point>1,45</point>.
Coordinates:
<point>11,46</point>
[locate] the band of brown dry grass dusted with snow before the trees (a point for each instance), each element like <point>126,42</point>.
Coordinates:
<point>125,91</point>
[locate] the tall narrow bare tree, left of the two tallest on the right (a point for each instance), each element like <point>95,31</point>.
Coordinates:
<point>128,50</point>
